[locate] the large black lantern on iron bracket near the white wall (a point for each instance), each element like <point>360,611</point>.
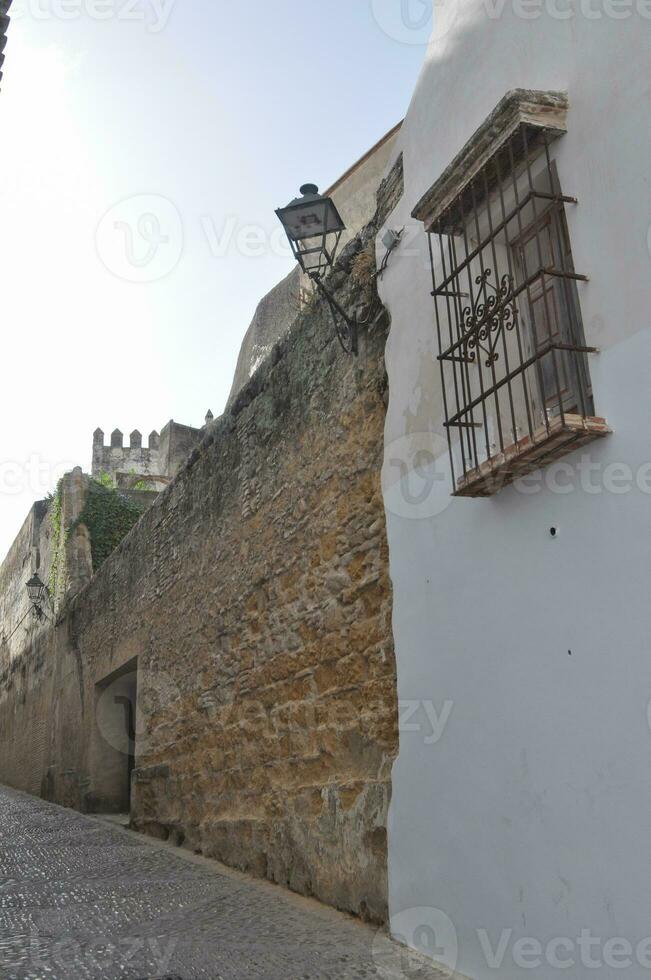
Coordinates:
<point>314,227</point>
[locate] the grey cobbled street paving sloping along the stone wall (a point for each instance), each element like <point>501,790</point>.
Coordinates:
<point>80,898</point>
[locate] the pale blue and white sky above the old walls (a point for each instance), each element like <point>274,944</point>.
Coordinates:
<point>144,146</point>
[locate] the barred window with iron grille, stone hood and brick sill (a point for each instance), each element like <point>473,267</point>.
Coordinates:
<point>514,360</point>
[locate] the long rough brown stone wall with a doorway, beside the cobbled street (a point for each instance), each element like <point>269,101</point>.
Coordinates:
<point>254,597</point>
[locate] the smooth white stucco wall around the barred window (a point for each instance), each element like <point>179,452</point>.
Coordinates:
<point>529,817</point>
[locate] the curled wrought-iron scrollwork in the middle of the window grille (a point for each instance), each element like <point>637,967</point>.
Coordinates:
<point>491,313</point>
